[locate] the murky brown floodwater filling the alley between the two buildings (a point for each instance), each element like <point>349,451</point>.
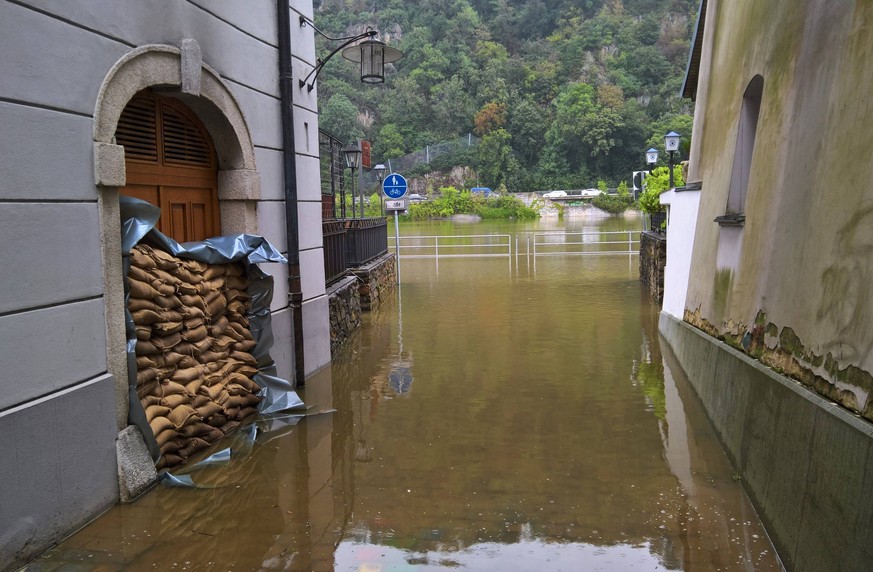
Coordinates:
<point>489,416</point>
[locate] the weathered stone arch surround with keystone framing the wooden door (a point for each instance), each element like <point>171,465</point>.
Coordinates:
<point>177,72</point>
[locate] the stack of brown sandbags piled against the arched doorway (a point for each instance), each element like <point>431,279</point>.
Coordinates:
<point>194,366</point>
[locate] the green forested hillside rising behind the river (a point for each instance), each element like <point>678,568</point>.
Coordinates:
<point>563,93</point>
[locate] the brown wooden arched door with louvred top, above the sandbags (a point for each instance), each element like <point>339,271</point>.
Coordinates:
<point>170,162</point>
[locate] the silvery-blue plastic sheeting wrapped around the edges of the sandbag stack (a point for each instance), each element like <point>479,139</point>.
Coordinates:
<point>138,220</point>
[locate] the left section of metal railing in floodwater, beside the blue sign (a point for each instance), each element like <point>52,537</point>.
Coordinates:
<point>454,246</point>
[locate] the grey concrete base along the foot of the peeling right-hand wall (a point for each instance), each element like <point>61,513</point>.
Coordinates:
<point>806,463</point>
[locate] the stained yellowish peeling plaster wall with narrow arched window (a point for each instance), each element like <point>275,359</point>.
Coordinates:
<point>803,259</point>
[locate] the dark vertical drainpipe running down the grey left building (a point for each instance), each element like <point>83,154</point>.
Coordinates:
<point>286,98</point>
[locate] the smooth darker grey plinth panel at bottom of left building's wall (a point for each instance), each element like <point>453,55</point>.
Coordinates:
<point>58,467</point>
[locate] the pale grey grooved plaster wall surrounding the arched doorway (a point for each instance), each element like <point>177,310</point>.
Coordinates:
<point>57,404</point>
